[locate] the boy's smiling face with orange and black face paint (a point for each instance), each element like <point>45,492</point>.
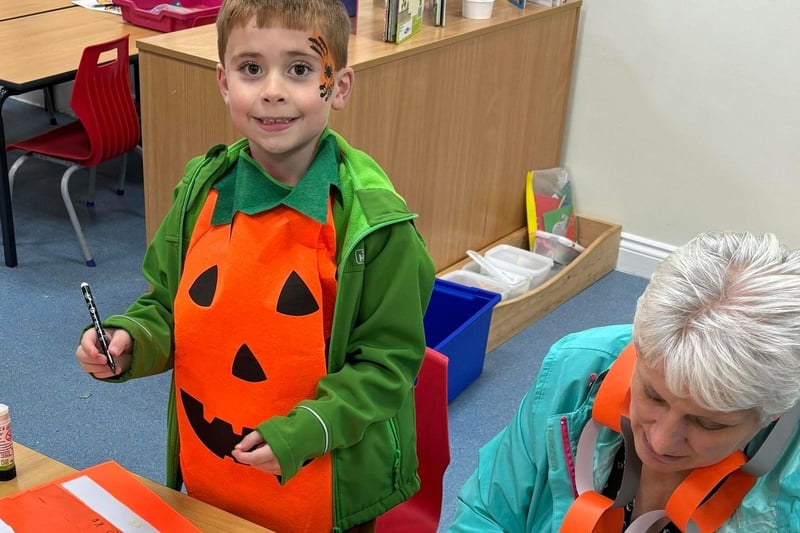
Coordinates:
<point>280,86</point>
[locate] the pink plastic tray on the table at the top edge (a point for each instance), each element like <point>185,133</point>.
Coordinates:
<point>169,16</point>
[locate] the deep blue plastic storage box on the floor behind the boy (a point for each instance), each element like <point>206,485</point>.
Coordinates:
<point>457,325</point>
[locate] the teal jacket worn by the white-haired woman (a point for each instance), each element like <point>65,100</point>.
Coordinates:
<point>523,483</point>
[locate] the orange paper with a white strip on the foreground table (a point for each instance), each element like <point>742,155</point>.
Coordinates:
<point>105,497</point>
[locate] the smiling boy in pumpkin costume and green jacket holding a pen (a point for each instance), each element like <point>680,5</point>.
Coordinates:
<point>288,289</point>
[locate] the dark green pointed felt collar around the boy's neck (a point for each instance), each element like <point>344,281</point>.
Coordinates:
<point>248,188</point>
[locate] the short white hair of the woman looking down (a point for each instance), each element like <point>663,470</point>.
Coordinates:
<point>721,317</point>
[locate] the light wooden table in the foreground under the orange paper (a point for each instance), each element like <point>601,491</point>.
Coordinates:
<point>34,468</point>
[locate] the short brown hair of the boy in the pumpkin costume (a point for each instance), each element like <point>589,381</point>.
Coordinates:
<point>328,17</point>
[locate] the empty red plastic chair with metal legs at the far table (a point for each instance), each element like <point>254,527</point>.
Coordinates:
<point>107,126</point>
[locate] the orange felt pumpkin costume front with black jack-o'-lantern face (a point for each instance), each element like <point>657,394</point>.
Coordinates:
<point>263,363</point>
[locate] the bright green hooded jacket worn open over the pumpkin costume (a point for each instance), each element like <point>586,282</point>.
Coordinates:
<point>363,412</point>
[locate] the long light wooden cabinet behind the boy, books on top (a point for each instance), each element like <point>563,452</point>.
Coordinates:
<point>455,115</point>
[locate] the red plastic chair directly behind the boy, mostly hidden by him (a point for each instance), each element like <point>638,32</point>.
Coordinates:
<point>422,512</point>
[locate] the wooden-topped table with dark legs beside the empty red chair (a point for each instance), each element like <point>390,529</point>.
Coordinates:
<point>42,50</point>
